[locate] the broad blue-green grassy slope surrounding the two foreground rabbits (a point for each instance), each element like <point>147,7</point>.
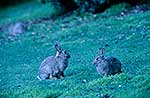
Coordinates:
<point>128,39</point>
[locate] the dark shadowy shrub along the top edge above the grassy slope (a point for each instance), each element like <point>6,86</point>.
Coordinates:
<point>93,6</point>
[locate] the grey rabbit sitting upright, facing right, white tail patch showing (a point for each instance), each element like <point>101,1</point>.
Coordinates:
<point>54,66</point>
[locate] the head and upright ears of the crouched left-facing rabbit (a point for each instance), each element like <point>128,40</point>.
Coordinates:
<point>99,59</point>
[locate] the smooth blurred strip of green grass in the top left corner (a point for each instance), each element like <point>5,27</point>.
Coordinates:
<point>27,11</point>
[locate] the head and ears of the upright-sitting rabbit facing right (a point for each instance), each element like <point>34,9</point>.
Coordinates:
<point>61,53</point>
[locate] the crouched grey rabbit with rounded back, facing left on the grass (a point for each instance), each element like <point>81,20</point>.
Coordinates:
<point>107,65</point>
